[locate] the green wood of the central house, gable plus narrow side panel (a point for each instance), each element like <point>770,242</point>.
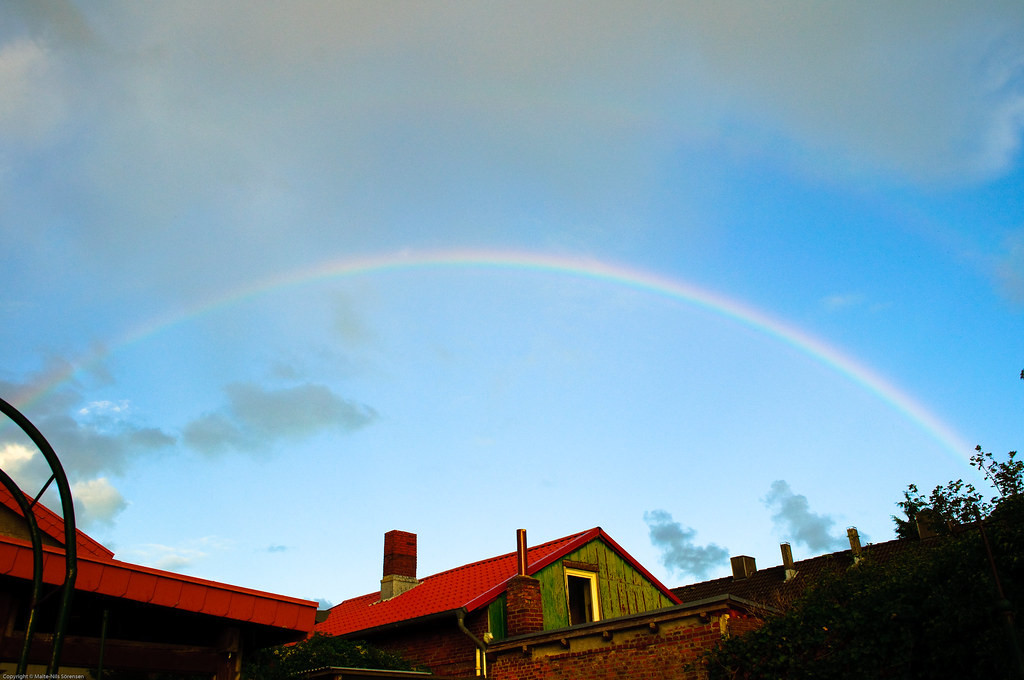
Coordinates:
<point>622,590</point>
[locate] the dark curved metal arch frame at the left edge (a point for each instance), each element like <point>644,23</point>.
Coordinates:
<point>71,538</point>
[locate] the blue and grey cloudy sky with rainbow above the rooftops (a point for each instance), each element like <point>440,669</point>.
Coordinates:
<point>281,277</point>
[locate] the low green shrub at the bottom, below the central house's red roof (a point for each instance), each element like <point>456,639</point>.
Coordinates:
<point>320,652</point>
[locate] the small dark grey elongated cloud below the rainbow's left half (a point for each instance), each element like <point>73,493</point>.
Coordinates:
<point>255,418</point>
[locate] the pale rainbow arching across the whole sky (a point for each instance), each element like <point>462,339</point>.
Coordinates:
<point>565,266</point>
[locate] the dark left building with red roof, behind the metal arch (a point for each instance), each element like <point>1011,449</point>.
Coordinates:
<point>127,617</point>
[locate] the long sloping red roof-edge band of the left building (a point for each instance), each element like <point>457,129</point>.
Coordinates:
<point>143,584</point>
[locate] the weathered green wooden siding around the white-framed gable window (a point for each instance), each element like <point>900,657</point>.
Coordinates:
<point>622,589</point>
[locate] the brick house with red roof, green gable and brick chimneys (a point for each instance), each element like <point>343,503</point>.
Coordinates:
<point>577,607</point>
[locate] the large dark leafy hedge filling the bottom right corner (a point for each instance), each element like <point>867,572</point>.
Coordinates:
<point>926,614</point>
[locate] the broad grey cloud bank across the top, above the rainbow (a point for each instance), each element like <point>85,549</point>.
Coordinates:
<point>330,123</point>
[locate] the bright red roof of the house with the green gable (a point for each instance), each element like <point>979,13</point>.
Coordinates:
<point>470,587</point>
